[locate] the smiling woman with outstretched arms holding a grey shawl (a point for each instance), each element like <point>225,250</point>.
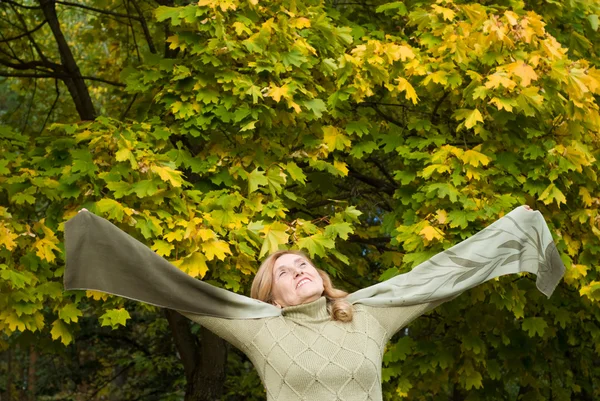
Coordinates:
<point>307,340</point>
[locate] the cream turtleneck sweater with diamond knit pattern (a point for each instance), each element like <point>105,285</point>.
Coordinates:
<point>304,355</point>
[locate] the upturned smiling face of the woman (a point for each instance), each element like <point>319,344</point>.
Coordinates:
<point>295,281</point>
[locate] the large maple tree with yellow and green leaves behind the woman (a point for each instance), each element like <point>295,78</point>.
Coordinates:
<point>371,137</point>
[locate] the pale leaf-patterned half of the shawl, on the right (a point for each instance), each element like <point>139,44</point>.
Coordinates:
<point>518,242</point>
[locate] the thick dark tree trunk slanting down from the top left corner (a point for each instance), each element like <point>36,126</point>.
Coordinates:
<point>73,80</point>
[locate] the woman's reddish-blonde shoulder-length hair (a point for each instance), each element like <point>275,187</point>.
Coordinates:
<point>337,306</point>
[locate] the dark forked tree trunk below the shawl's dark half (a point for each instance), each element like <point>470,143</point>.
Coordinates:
<point>203,362</point>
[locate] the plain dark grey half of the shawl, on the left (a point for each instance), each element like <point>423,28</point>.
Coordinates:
<point>102,257</point>
